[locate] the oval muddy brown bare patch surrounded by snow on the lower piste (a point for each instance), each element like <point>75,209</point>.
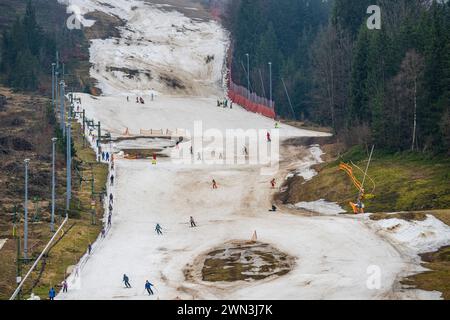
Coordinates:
<point>240,261</point>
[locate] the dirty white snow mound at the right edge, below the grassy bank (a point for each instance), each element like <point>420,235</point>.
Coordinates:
<point>419,236</point>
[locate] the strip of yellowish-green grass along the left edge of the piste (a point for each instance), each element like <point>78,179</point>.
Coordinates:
<point>79,231</point>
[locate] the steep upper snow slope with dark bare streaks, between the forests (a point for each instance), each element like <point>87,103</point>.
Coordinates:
<point>158,49</point>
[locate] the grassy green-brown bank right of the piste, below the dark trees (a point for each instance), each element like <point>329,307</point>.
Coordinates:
<point>403,182</point>
